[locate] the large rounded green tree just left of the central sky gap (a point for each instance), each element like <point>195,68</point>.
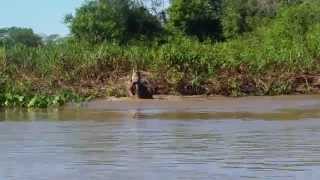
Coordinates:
<point>113,20</point>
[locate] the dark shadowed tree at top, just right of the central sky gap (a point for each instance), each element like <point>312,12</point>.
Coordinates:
<point>196,18</point>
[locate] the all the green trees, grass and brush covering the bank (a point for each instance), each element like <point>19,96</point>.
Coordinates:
<point>212,47</point>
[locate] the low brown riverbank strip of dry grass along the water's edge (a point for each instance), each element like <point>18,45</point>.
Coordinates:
<point>26,89</point>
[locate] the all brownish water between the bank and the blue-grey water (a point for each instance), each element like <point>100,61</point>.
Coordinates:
<point>249,108</point>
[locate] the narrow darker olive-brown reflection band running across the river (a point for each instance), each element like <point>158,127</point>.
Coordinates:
<point>138,114</point>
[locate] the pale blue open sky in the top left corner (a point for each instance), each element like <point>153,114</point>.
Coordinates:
<point>43,16</point>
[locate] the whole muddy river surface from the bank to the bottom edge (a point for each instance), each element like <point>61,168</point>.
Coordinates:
<point>167,138</point>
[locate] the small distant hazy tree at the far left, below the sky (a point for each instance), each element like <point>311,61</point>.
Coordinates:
<point>16,35</point>
